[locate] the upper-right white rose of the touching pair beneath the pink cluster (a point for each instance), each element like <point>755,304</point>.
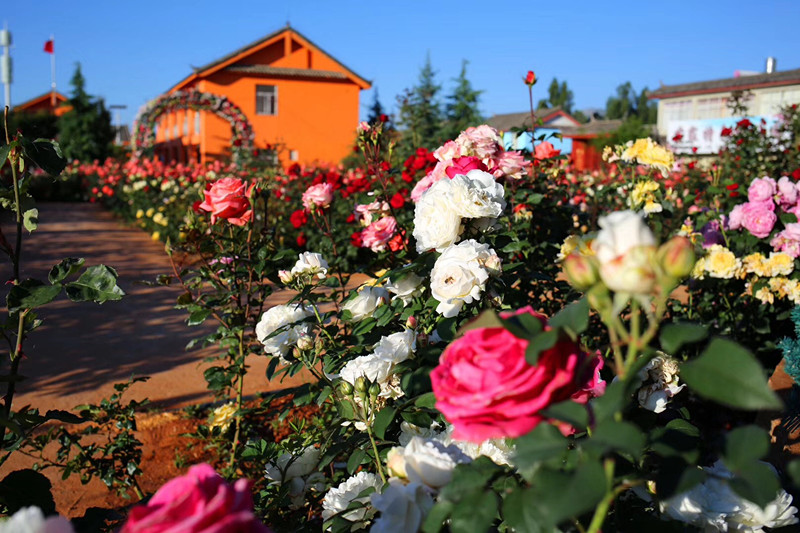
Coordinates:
<point>477,195</point>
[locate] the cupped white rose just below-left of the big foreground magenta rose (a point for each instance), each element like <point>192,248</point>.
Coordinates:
<point>430,462</point>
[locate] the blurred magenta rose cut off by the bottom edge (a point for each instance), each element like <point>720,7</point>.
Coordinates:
<point>200,501</point>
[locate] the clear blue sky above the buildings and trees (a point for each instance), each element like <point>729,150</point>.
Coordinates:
<point>131,52</point>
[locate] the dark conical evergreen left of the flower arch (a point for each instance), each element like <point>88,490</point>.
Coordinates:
<point>85,132</point>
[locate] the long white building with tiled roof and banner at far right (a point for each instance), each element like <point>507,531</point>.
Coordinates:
<point>692,115</point>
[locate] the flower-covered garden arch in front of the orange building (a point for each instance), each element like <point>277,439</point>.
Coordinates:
<point>144,126</point>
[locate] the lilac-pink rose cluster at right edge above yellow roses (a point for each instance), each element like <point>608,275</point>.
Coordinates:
<point>758,214</point>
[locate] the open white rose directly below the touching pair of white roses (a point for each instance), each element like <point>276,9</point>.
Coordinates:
<point>459,276</point>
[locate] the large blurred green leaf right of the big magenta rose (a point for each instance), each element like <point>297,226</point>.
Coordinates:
<point>729,374</point>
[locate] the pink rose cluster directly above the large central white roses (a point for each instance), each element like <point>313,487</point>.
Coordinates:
<point>476,148</point>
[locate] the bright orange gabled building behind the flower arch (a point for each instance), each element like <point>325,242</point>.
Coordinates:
<point>296,96</point>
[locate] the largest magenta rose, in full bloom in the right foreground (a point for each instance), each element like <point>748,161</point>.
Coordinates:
<point>486,389</point>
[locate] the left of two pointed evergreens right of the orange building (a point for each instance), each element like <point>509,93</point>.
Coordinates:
<point>420,114</point>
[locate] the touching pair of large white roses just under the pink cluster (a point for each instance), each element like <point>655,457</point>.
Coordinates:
<point>439,213</point>
